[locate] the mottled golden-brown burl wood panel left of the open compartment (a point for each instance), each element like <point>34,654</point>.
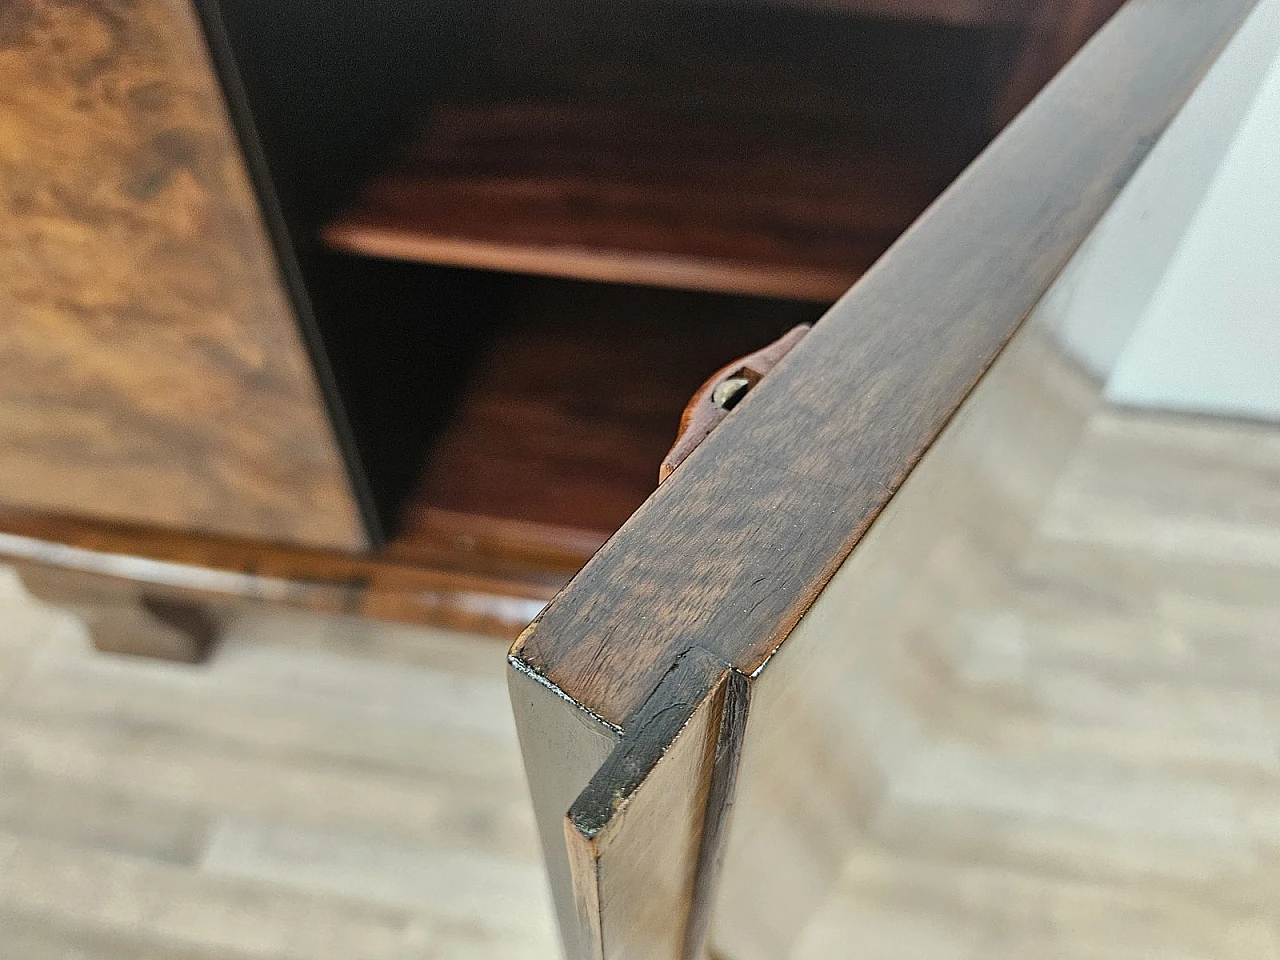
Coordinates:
<point>150,368</point>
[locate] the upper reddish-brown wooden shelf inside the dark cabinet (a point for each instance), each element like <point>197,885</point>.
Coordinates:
<point>767,152</point>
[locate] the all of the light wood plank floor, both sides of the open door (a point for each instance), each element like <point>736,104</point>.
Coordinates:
<point>1099,775</point>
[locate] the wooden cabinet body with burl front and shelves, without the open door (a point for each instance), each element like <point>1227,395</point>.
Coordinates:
<point>394,309</point>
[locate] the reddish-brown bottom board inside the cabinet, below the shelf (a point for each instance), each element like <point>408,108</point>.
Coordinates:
<point>577,400</point>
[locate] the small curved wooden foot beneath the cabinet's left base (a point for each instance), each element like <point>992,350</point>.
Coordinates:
<point>125,618</point>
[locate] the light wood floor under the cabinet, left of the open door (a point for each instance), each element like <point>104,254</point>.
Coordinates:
<point>322,789</point>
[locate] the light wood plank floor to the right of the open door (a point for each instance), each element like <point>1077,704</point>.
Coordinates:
<point>1092,766</point>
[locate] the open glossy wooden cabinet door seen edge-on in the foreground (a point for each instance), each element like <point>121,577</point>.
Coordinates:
<point>772,668</point>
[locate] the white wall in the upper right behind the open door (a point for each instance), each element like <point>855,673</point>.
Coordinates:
<point>1209,333</point>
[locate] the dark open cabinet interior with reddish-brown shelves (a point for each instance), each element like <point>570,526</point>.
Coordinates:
<point>524,234</point>
